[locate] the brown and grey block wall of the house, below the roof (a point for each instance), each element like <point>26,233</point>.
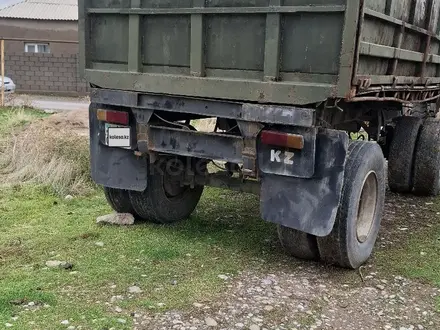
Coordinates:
<point>55,73</point>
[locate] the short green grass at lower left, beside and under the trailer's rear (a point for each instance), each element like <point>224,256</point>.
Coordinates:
<point>225,236</point>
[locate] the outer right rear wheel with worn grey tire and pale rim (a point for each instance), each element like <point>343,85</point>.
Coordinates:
<point>357,224</point>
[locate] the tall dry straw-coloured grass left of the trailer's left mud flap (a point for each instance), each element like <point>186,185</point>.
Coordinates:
<point>52,151</point>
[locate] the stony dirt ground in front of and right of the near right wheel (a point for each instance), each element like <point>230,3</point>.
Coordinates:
<point>313,296</point>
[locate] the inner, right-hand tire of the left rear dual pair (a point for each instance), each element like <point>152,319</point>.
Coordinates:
<point>164,202</point>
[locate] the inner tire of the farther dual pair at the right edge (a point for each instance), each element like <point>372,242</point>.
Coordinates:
<point>401,156</point>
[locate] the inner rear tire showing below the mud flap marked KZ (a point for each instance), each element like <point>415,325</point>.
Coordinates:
<point>298,244</point>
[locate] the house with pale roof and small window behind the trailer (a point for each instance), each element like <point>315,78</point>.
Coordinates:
<point>41,45</point>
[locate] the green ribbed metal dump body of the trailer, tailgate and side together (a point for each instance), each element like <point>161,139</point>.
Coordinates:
<point>268,51</point>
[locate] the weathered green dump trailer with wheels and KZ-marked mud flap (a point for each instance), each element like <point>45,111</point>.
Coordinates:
<point>318,105</point>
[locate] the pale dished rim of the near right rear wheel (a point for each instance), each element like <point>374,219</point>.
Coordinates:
<point>367,207</point>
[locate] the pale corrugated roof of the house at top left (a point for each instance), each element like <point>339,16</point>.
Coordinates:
<point>60,10</point>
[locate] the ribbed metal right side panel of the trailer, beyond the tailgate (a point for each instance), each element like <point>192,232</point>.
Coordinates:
<point>399,44</point>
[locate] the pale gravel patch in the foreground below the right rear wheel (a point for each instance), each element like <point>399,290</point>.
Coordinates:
<point>307,299</point>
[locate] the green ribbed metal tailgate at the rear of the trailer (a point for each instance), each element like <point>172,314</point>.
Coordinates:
<point>268,51</point>
